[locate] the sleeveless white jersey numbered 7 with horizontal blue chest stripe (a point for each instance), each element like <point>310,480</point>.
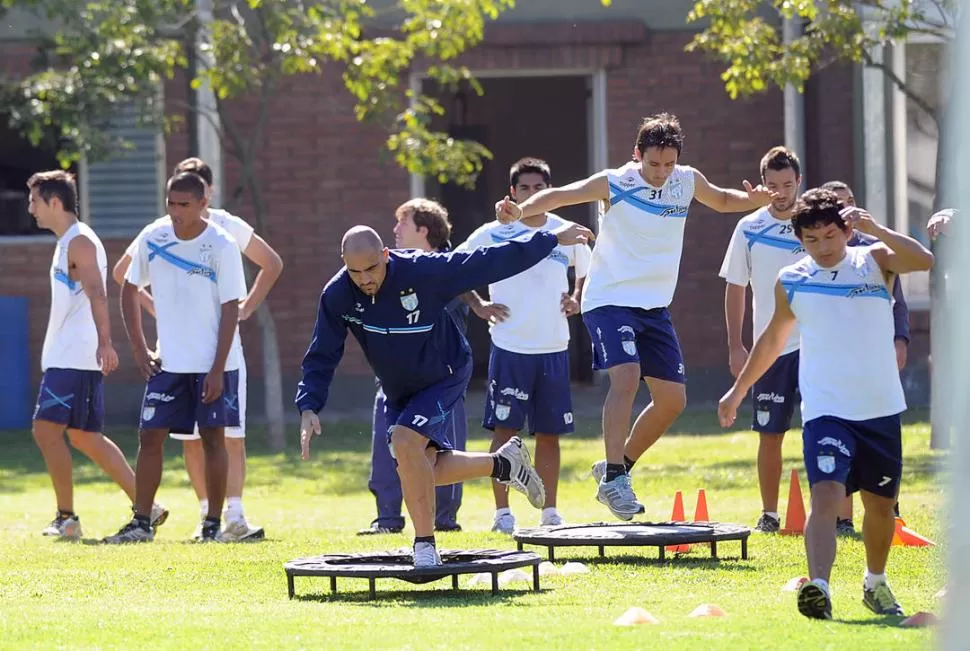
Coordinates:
<point>847,366</point>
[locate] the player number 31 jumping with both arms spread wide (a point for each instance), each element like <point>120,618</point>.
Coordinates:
<point>632,277</point>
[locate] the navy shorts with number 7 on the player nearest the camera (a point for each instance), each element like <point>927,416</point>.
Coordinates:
<point>864,455</point>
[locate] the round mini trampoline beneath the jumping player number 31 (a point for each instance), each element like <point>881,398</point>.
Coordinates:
<point>665,536</point>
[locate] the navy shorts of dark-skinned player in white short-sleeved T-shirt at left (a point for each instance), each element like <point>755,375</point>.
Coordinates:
<point>173,402</point>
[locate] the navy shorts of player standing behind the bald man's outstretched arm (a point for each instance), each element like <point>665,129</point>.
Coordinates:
<point>536,386</point>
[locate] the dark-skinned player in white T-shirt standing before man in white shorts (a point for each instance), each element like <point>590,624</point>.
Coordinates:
<point>195,271</point>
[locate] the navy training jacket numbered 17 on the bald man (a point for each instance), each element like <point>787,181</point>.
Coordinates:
<point>405,330</point>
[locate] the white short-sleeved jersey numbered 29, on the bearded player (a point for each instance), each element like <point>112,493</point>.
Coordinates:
<point>760,247</point>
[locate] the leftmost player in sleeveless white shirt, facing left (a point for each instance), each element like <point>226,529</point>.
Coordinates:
<point>77,354</point>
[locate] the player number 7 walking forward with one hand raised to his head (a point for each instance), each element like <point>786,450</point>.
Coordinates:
<point>840,299</point>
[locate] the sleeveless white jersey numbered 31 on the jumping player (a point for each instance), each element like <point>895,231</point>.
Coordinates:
<point>636,259</point>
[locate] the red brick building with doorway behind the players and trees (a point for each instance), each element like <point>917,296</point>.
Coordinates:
<point>571,90</point>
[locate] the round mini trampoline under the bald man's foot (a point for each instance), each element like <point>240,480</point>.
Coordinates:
<point>398,565</point>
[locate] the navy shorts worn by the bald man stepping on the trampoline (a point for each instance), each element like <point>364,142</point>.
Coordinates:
<point>428,412</point>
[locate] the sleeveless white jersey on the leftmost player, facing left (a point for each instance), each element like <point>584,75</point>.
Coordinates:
<point>72,337</point>
